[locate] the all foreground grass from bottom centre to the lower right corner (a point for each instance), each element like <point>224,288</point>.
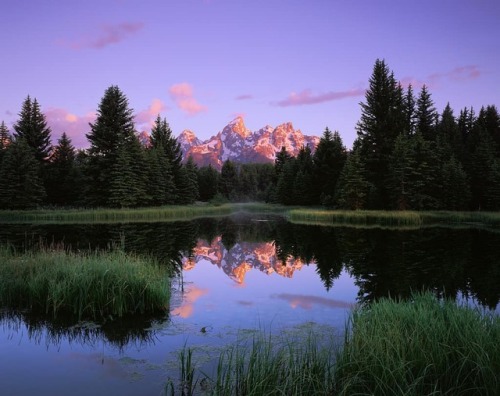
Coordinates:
<point>418,347</point>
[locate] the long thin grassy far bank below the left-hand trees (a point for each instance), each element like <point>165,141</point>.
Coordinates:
<point>150,214</point>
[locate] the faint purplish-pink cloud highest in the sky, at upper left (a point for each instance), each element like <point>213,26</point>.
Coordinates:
<point>106,35</point>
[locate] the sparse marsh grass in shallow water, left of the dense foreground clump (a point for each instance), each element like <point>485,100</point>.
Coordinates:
<point>263,365</point>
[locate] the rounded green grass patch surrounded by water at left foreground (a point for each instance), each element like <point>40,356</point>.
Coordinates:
<point>87,285</point>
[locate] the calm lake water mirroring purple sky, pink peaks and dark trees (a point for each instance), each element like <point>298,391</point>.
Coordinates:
<point>236,275</point>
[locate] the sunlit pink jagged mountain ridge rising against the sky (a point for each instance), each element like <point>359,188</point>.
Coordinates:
<point>237,143</point>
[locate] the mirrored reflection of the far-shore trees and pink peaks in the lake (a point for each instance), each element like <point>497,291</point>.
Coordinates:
<point>451,262</point>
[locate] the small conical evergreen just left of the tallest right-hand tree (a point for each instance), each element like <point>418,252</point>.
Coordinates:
<point>353,186</point>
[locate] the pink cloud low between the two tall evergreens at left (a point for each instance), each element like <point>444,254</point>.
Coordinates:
<point>61,120</point>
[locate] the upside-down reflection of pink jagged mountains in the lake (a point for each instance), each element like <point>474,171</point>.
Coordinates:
<point>241,258</point>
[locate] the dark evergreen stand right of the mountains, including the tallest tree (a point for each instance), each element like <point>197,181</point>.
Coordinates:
<point>406,156</point>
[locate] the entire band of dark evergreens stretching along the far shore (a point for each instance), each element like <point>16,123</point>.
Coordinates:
<point>406,156</point>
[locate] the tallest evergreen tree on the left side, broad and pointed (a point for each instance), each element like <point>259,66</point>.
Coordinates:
<point>113,144</point>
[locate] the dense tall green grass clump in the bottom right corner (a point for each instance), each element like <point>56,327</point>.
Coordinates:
<point>420,347</point>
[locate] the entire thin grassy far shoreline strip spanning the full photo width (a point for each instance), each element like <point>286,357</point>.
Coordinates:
<point>359,218</point>
